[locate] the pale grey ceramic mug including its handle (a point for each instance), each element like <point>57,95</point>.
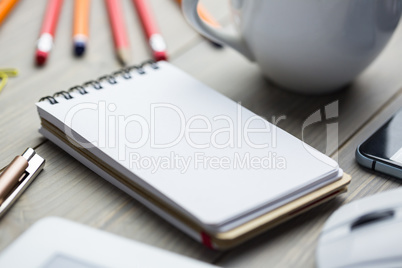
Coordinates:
<point>308,46</point>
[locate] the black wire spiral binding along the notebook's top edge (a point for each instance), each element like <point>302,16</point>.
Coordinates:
<point>126,73</point>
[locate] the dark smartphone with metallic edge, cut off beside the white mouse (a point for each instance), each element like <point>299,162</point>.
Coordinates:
<point>383,150</point>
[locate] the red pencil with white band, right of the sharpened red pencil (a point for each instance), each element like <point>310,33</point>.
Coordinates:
<point>155,39</point>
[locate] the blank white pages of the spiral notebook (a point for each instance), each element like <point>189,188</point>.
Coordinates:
<point>218,184</point>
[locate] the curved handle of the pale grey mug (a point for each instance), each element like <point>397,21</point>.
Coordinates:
<point>189,8</point>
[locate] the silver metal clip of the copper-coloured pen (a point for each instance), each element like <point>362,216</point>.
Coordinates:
<point>35,166</point>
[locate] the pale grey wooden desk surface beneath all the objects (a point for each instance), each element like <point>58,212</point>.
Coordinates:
<point>70,190</point>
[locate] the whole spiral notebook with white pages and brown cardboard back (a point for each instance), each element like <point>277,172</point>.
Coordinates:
<point>209,166</point>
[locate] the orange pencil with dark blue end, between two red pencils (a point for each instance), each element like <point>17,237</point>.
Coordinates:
<point>81,21</point>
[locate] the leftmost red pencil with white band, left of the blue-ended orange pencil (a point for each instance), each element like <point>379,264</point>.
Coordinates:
<point>48,30</point>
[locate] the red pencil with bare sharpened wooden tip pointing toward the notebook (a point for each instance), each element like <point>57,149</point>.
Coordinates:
<point>119,30</point>
